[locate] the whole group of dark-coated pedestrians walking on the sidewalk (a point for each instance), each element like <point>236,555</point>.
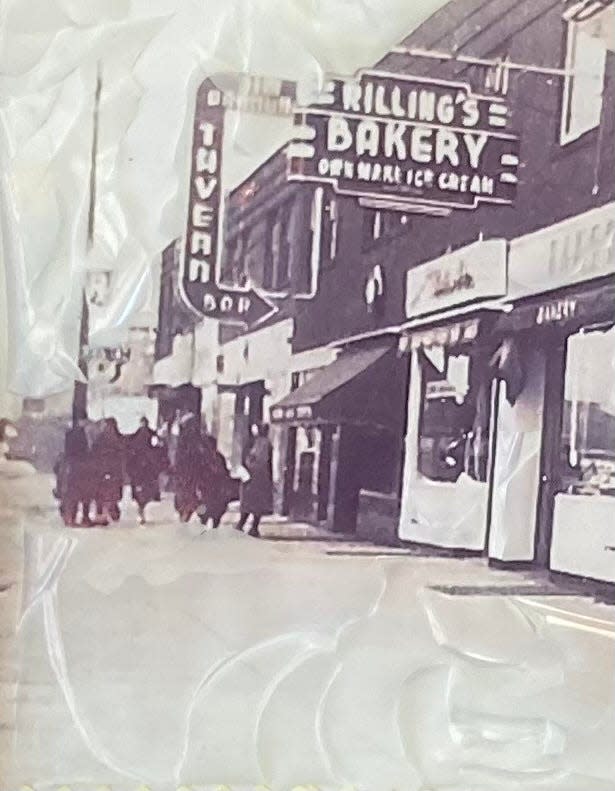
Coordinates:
<point>98,461</point>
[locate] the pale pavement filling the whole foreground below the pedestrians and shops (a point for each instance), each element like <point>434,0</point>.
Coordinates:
<point>161,656</point>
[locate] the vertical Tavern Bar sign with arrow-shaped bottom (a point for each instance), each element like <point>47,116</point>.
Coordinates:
<point>200,284</point>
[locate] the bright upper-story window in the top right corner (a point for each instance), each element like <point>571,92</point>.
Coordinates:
<point>587,42</point>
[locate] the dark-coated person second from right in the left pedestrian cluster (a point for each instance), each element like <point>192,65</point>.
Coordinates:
<point>107,461</point>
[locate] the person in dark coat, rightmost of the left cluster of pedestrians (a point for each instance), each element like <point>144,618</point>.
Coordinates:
<point>145,461</point>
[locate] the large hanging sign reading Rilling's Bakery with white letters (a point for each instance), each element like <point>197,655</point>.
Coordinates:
<point>404,139</point>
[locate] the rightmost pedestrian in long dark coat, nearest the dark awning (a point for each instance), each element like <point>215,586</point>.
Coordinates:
<point>256,495</point>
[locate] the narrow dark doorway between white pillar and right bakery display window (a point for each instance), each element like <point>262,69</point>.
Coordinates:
<point>551,443</point>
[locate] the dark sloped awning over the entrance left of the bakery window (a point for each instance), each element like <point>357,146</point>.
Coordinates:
<point>364,385</point>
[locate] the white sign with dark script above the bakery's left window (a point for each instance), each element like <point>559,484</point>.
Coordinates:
<point>474,273</point>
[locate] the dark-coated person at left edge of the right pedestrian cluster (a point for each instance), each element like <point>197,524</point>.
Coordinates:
<point>187,470</point>
